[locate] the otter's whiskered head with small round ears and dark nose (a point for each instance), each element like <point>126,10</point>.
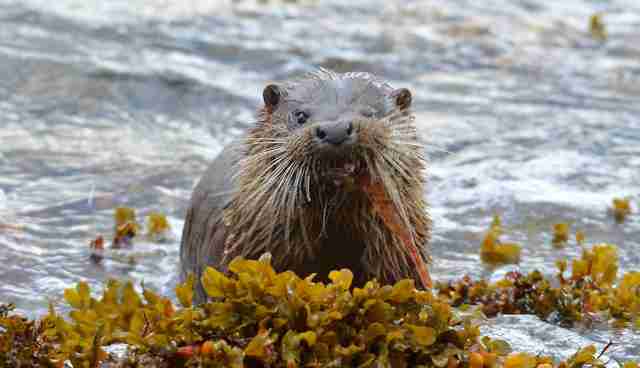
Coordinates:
<point>339,125</point>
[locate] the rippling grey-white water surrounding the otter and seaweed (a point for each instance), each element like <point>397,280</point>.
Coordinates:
<point>108,103</point>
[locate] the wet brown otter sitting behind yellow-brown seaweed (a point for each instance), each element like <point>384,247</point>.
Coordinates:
<point>299,184</point>
